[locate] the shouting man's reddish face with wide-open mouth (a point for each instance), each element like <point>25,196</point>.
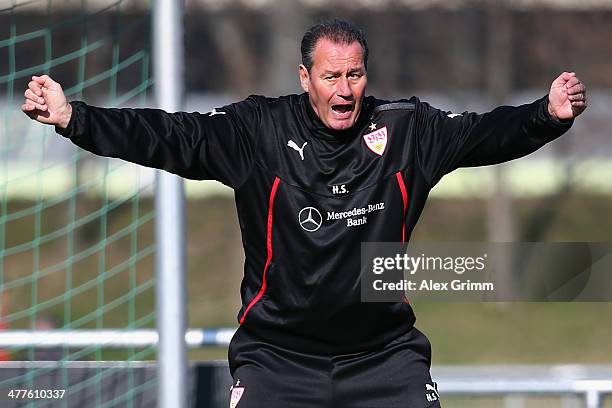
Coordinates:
<point>336,82</point>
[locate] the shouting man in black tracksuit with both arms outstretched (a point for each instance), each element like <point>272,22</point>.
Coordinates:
<point>304,168</point>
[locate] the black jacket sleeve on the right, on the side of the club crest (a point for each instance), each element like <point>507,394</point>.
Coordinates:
<point>448,141</point>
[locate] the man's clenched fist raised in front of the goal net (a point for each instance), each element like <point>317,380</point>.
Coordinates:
<point>46,103</point>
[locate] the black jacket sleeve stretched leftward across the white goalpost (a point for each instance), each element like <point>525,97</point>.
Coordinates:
<point>218,145</point>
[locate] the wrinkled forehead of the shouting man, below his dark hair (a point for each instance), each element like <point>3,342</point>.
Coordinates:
<point>337,56</point>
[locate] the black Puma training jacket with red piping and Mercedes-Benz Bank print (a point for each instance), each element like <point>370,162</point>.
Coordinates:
<point>307,196</point>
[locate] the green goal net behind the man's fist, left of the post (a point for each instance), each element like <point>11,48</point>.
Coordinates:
<point>76,230</point>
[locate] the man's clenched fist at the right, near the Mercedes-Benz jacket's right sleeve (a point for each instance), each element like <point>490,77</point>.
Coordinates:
<point>567,97</point>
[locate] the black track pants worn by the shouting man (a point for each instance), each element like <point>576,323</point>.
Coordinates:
<point>269,376</point>
